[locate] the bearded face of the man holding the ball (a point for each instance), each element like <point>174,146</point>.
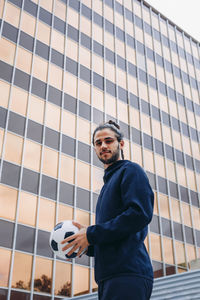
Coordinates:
<point>107,146</point>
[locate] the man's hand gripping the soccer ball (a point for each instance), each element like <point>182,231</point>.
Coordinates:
<point>79,240</point>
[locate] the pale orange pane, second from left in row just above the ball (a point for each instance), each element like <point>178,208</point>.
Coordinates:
<point>27,209</point>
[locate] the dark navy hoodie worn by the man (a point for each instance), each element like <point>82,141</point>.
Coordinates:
<point>124,209</point>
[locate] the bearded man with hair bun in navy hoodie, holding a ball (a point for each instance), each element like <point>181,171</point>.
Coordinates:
<point>123,269</point>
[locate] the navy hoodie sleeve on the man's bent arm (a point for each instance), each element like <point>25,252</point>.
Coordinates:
<point>137,198</point>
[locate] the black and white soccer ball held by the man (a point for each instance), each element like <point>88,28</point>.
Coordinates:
<point>60,232</point>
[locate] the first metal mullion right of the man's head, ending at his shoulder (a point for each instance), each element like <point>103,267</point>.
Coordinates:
<point>128,89</point>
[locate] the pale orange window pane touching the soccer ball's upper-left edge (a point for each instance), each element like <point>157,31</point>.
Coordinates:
<point>46,214</point>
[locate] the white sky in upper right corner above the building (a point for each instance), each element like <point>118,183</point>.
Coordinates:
<point>184,13</point>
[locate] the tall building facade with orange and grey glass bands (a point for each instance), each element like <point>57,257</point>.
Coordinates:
<point>65,67</point>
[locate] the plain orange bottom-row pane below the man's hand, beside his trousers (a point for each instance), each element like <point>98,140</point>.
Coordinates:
<point>81,280</point>
